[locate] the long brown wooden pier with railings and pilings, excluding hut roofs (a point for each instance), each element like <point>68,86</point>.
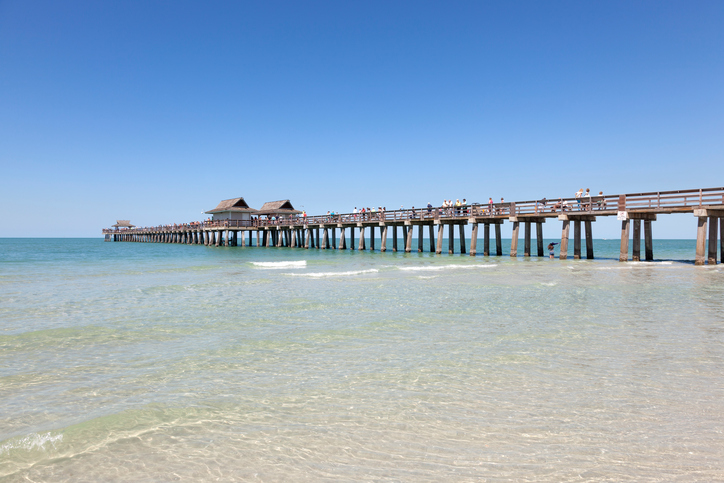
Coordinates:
<point>320,232</point>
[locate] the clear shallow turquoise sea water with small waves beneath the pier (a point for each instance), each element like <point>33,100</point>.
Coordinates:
<point>153,362</point>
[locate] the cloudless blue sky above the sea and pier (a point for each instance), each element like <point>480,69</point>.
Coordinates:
<point>154,111</point>
